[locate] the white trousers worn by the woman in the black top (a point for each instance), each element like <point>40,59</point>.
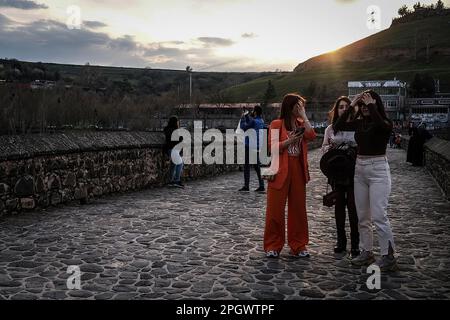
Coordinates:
<point>372,189</point>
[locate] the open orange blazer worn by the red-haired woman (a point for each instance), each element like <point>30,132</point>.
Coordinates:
<point>282,173</point>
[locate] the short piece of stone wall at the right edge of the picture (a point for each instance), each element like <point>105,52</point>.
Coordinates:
<point>437,161</point>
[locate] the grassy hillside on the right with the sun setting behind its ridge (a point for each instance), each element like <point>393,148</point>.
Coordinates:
<point>399,51</point>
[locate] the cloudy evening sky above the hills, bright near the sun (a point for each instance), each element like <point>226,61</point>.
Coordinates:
<point>208,35</point>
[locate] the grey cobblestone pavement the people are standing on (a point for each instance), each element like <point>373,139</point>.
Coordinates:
<point>205,242</point>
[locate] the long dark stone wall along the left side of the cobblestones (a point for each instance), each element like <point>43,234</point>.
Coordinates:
<point>37,171</point>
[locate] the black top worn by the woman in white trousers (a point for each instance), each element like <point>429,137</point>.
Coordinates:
<point>371,134</point>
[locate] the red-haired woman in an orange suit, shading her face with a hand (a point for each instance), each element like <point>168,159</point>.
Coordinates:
<point>290,180</point>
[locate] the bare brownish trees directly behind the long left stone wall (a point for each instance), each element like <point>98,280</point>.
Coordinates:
<point>24,110</point>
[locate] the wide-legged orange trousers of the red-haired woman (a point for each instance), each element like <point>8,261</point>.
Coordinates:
<point>294,190</point>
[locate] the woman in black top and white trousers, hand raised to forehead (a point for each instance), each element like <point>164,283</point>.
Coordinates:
<point>372,180</point>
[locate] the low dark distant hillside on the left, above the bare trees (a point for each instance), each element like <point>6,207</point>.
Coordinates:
<point>140,81</point>
